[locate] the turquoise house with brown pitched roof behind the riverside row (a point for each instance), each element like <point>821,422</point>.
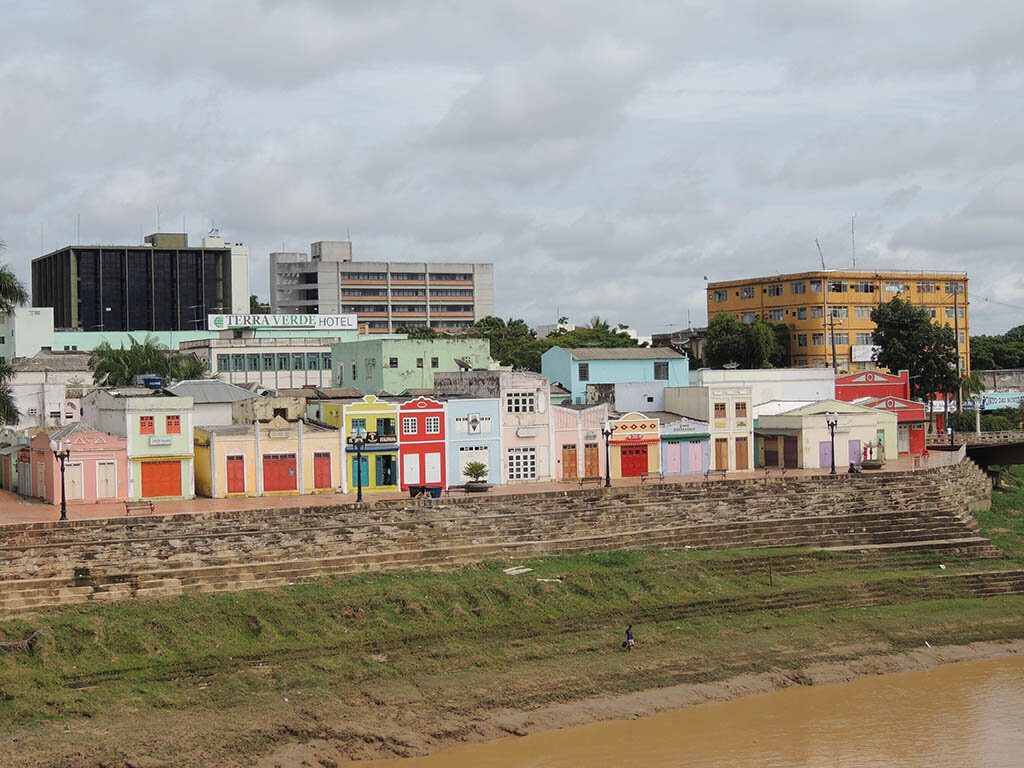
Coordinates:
<point>575,369</point>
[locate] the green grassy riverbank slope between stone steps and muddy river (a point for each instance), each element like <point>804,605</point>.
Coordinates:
<point>475,639</point>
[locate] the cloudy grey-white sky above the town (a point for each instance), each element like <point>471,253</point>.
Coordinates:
<point>605,155</point>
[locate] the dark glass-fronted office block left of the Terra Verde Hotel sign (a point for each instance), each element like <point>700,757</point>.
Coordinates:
<point>162,286</point>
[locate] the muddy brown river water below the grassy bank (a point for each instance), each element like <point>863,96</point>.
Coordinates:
<point>959,715</point>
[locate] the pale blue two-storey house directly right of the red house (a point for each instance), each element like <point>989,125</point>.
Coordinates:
<point>475,435</point>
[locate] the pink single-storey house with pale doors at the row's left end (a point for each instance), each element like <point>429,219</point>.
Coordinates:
<point>97,472</point>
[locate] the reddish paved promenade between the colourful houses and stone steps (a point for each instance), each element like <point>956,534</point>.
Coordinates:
<point>17,509</point>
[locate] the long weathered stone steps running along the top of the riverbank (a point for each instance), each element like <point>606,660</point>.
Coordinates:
<point>57,564</point>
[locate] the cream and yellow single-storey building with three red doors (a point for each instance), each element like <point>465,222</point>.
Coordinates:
<point>276,458</point>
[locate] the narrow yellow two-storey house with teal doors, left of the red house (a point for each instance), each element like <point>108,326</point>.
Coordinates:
<point>378,465</point>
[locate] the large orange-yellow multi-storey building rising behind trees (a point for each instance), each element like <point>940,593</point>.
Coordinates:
<point>802,303</point>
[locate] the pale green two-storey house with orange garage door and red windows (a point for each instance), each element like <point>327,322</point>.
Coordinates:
<point>159,432</point>
